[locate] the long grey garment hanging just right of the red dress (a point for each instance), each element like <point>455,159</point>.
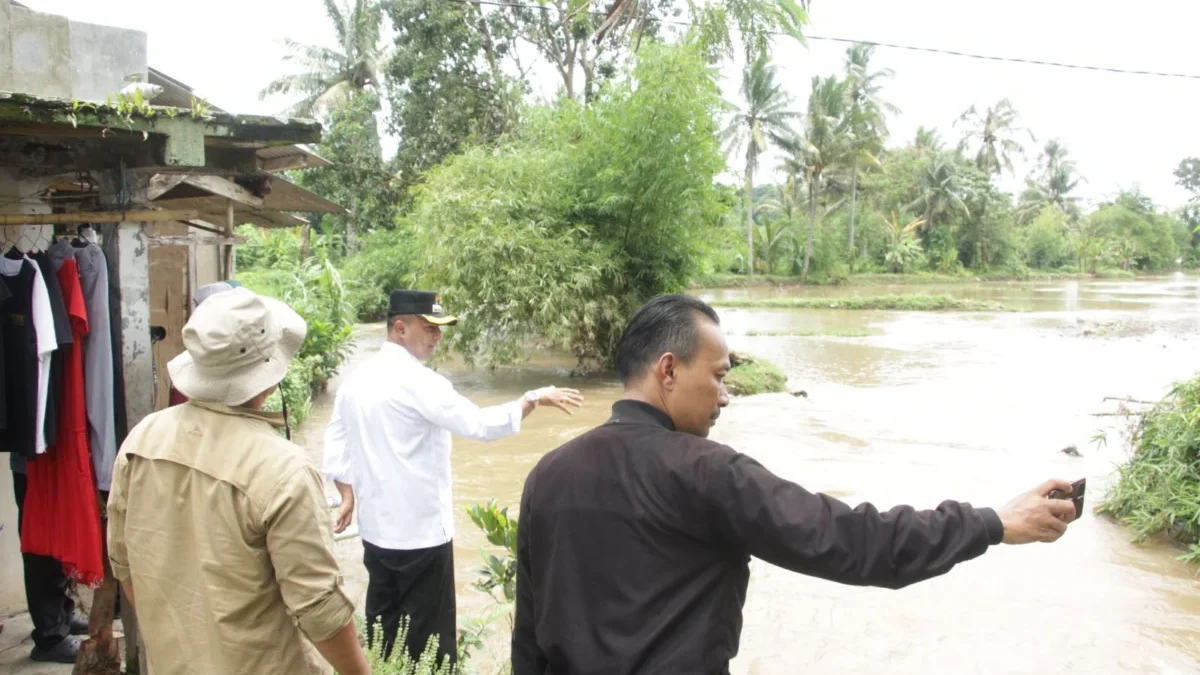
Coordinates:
<point>98,355</point>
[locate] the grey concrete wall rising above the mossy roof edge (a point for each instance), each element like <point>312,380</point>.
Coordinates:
<point>53,57</point>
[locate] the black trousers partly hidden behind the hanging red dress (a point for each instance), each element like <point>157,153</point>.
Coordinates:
<point>46,587</point>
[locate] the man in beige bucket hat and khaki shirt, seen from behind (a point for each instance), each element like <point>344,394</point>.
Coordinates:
<point>218,527</point>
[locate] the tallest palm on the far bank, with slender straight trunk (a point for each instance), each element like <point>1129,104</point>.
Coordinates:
<point>868,117</point>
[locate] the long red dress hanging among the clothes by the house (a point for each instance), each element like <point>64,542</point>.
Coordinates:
<point>62,516</point>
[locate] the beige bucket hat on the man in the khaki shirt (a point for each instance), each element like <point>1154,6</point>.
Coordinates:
<point>239,344</point>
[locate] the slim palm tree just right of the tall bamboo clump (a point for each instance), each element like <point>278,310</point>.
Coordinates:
<point>764,122</point>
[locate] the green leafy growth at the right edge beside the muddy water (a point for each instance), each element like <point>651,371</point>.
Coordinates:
<point>1157,493</point>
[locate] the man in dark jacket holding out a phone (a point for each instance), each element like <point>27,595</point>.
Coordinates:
<point>635,540</point>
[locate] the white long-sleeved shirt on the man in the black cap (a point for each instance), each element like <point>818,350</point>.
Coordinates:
<point>389,439</point>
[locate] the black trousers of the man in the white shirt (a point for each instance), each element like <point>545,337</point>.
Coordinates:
<point>416,584</point>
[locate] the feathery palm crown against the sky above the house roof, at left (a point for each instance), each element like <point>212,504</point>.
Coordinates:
<point>329,75</point>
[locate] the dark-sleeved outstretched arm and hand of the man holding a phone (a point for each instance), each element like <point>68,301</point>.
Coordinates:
<point>784,524</point>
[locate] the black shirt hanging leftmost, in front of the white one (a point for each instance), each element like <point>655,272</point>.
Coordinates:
<point>21,365</point>
